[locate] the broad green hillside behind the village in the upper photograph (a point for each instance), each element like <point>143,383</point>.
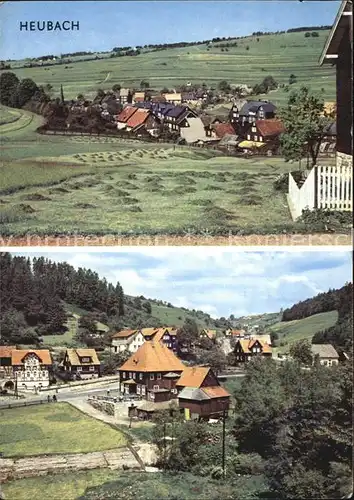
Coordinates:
<point>279,55</point>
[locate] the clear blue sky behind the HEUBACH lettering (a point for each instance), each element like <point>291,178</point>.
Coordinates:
<point>104,25</point>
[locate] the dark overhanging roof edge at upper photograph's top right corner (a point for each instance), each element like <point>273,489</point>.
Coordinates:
<point>330,50</point>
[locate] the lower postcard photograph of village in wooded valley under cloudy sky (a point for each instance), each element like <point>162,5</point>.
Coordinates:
<point>176,373</point>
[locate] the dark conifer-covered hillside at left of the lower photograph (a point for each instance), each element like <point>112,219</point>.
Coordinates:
<point>35,294</point>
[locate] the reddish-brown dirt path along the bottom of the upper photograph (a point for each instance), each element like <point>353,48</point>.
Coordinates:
<point>165,240</point>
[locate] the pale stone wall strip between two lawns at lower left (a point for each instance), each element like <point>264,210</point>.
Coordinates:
<point>55,464</point>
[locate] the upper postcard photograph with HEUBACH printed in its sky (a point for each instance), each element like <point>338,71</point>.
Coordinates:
<point>176,123</point>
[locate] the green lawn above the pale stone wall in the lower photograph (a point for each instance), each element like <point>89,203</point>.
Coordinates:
<point>54,428</point>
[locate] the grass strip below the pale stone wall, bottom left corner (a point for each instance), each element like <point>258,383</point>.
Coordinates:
<point>57,486</point>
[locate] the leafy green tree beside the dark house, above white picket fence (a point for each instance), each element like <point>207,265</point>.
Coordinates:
<point>305,125</point>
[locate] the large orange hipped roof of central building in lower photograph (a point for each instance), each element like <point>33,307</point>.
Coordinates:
<point>153,357</point>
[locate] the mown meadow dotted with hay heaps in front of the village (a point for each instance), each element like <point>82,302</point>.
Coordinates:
<point>146,190</point>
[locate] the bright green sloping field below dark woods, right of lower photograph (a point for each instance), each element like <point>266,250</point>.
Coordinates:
<point>292,331</point>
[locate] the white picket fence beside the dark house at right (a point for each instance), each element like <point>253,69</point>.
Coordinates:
<point>328,187</point>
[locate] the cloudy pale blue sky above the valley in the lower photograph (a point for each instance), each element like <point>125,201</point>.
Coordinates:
<point>219,281</point>
